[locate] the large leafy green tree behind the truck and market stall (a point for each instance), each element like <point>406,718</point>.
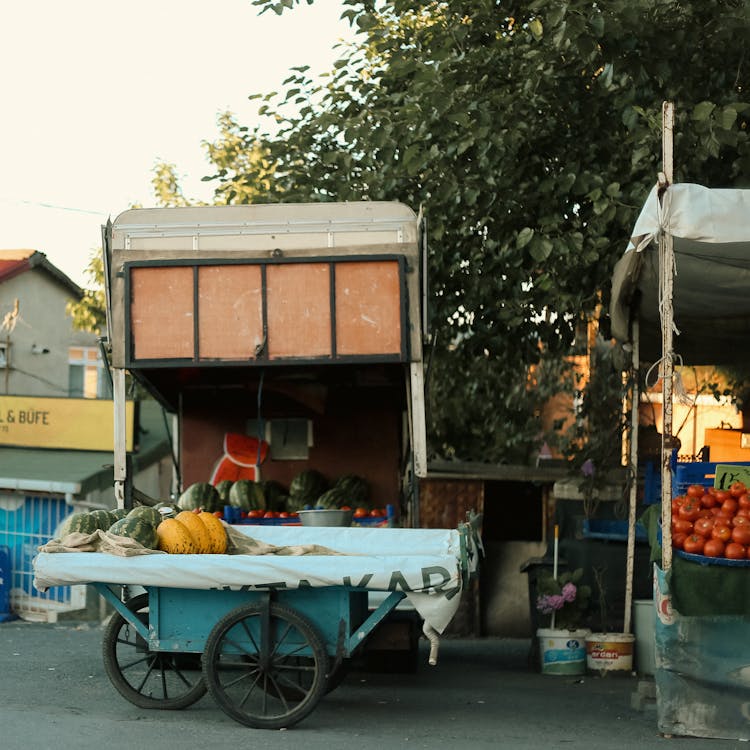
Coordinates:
<point>529,133</point>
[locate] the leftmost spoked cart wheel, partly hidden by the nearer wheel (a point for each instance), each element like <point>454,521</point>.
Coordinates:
<point>149,679</point>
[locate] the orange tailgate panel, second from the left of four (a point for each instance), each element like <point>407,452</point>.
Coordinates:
<point>230,311</point>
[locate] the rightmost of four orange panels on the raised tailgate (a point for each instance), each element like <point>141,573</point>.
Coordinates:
<point>368,308</point>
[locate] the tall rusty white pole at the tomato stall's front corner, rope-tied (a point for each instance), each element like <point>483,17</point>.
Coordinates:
<point>666,290</point>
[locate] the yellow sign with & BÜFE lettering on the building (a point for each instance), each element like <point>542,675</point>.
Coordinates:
<point>84,424</point>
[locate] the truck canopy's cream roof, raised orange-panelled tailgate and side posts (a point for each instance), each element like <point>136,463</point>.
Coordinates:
<point>203,295</point>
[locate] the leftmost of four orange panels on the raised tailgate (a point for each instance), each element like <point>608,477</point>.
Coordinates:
<point>161,312</point>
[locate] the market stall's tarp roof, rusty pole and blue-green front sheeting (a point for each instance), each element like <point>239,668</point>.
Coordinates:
<point>680,296</point>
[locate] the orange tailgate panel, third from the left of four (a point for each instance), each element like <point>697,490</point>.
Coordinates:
<point>299,310</point>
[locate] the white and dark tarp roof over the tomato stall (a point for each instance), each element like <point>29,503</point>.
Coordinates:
<point>711,232</point>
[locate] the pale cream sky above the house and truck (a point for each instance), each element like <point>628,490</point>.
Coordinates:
<point>95,92</point>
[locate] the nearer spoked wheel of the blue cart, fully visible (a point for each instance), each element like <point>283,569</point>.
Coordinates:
<point>265,665</point>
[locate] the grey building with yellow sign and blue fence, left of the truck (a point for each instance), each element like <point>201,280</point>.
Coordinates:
<point>56,431</point>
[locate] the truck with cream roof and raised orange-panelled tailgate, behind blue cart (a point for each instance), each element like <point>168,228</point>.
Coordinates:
<point>297,326</point>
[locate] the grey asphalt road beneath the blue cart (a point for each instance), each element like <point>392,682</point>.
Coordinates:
<point>481,694</point>
